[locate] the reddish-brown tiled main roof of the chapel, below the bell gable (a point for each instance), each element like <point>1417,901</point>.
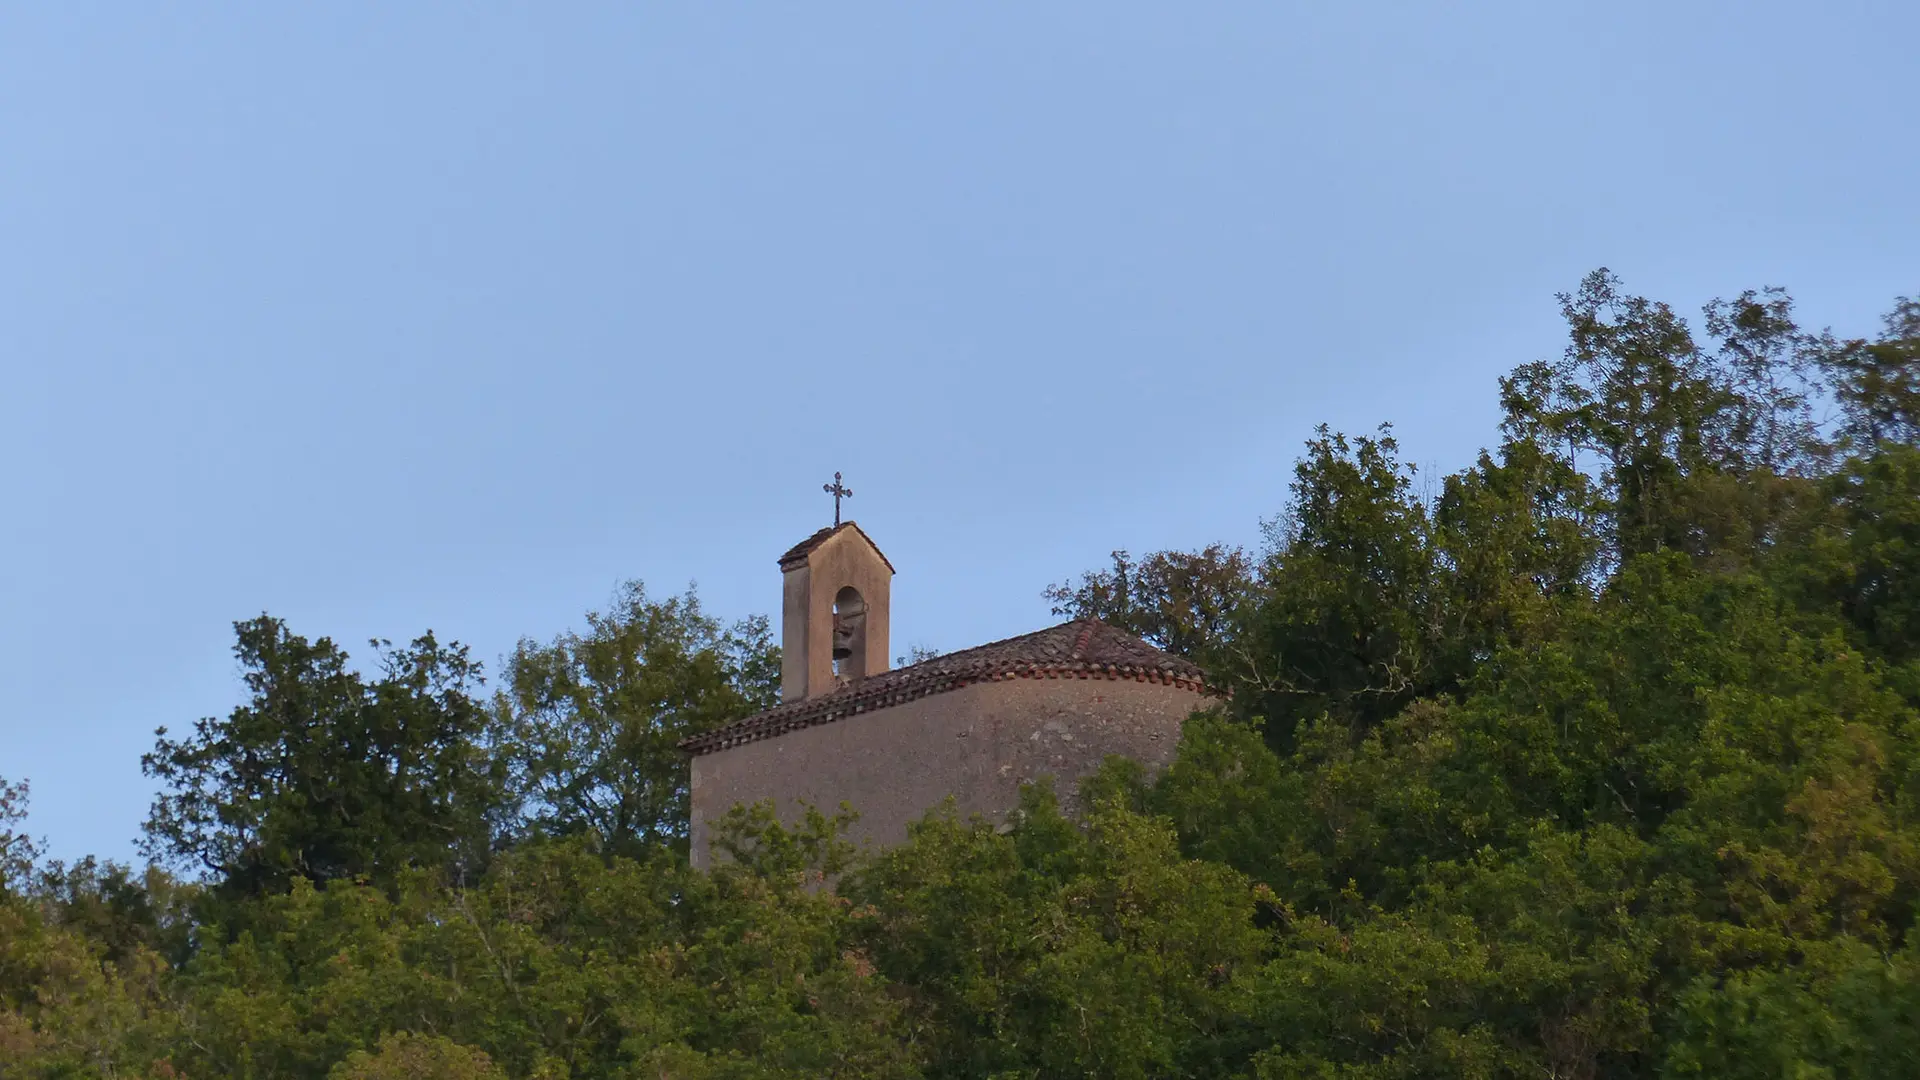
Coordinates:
<point>1084,649</point>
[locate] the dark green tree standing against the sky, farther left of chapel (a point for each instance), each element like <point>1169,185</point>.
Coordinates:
<point>327,775</point>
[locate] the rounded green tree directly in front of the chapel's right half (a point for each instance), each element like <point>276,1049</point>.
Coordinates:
<point>1061,948</point>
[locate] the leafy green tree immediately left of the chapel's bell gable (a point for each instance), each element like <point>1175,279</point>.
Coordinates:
<point>598,716</point>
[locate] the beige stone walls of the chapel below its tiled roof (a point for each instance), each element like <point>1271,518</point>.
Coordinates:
<point>978,745</point>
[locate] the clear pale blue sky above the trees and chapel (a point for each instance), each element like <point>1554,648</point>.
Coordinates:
<point>387,318</point>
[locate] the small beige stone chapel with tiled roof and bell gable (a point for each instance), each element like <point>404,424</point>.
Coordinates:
<point>896,743</point>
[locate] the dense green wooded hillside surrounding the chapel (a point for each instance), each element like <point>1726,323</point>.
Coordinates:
<point>1598,758</point>
